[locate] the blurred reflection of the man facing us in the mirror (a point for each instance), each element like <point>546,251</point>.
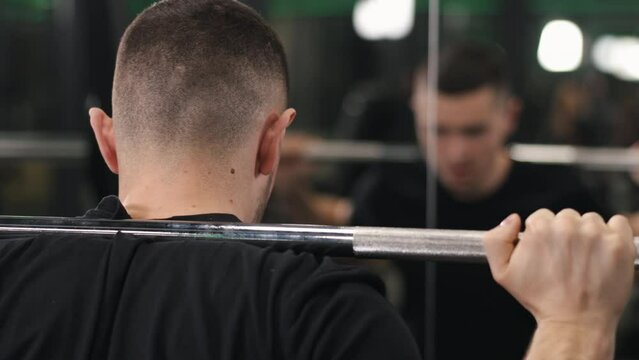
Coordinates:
<point>478,184</point>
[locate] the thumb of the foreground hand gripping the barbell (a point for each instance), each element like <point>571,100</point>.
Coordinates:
<point>499,244</point>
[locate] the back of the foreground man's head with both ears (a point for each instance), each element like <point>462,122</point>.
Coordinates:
<point>196,82</point>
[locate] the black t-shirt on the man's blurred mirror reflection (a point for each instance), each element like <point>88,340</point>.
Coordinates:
<point>475,317</point>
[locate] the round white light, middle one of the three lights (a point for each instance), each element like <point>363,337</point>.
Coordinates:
<point>561,46</point>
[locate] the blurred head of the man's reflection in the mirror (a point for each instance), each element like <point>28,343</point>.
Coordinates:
<point>476,115</point>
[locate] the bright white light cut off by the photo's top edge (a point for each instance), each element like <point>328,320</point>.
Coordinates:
<point>384,19</point>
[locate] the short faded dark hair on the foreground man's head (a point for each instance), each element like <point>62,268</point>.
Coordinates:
<point>193,73</point>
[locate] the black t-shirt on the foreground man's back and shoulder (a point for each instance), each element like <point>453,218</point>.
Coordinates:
<point>125,297</point>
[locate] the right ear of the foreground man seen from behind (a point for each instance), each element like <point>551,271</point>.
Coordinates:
<point>268,153</point>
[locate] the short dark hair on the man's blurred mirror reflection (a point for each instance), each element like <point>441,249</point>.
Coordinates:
<point>472,64</point>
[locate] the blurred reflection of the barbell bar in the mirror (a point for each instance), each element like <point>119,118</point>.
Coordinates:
<point>36,146</point>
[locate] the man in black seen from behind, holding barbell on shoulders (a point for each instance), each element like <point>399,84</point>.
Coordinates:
<point>199,116</point>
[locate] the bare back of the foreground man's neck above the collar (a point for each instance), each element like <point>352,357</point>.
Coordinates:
<point>161,196</point>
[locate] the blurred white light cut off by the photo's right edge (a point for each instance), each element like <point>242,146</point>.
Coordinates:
<point>618,56</point>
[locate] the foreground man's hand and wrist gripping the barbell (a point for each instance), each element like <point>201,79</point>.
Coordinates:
<point>573,273</point>
